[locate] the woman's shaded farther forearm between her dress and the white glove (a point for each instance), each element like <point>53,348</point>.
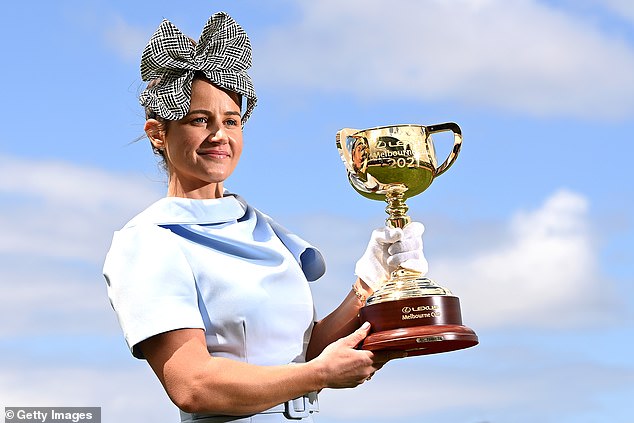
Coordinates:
<point>341,322</point>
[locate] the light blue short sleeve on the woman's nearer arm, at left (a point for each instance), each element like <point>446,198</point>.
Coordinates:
<point>150,284</point>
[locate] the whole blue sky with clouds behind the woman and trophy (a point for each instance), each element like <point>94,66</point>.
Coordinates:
<point>532,227</point>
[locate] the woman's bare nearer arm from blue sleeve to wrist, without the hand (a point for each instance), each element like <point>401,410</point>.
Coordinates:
<point>199,383</point>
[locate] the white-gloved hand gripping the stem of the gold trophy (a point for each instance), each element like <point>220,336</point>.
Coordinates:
<point>388,248</point>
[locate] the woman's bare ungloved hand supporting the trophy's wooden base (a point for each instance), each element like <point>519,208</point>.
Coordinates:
<point>343,366</point>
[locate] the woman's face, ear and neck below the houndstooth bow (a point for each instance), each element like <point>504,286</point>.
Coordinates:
<point>203,148</point>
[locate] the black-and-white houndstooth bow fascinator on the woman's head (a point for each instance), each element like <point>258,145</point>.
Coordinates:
<point>223,55</point>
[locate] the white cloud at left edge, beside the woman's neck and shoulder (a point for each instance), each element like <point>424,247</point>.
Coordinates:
<point>58,209</point>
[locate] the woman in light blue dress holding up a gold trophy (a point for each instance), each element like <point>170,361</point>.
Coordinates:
<point>210,291</point>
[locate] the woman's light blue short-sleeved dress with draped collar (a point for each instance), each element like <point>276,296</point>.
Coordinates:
<point>218,265</point>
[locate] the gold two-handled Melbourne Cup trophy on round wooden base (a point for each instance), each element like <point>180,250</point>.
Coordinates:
<point>408,312</point>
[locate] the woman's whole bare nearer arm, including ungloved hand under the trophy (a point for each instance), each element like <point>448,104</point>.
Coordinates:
<point>199,383</point>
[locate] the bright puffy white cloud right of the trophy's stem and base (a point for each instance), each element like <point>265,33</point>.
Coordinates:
<point>545,273</point>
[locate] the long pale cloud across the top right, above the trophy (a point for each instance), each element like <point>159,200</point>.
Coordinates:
<point>521,55</point>
